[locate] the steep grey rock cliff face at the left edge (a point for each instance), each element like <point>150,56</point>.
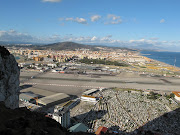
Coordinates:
<point>9,79</point>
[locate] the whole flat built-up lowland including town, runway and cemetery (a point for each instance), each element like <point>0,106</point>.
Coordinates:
<point>115,91</point>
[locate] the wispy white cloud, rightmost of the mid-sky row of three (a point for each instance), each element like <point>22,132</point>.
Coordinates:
<point>113,19</point>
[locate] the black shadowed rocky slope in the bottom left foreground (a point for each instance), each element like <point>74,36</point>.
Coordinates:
<point>21,121</point>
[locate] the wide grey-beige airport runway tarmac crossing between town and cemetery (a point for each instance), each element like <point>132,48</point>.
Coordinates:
<point>75,85</point>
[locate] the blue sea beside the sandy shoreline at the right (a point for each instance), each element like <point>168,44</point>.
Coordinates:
<point>166,57</point>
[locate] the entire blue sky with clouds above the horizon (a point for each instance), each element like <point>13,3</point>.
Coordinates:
<point>142,23</point>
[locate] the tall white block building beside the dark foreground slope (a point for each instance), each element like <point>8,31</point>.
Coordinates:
<point>63,117</point>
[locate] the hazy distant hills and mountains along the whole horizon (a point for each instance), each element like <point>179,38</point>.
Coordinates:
<point>73,46</point>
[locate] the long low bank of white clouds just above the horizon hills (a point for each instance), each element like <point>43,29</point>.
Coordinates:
<point>15,36</point>
